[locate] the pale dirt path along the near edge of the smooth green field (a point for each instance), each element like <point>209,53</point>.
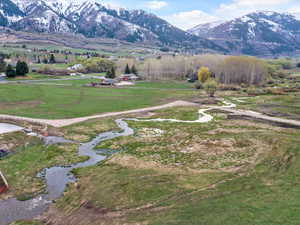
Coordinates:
<point>67,122</point>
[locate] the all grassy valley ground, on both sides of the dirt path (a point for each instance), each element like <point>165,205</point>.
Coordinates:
<point>228,171</point>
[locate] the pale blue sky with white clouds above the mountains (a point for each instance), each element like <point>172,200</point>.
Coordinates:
<point>189,13</point>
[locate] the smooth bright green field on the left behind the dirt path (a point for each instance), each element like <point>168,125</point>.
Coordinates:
<point>42,101</point>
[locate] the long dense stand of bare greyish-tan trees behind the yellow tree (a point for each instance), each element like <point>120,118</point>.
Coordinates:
<point>225,69</point>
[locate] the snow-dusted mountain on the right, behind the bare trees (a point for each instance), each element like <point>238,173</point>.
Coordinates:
<point>258,33</point>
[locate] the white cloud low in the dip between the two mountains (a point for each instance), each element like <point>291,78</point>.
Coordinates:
<point>190,19</point>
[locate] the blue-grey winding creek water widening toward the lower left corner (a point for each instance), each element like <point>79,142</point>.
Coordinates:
<point>57,178</point>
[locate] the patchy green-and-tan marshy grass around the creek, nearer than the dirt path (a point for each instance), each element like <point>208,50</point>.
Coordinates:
<point>222,172</point>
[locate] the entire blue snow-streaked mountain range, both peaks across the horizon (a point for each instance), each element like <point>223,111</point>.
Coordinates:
<point>260,33</point>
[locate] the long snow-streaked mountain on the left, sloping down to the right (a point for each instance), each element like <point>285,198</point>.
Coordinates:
<point>94,19</point>
